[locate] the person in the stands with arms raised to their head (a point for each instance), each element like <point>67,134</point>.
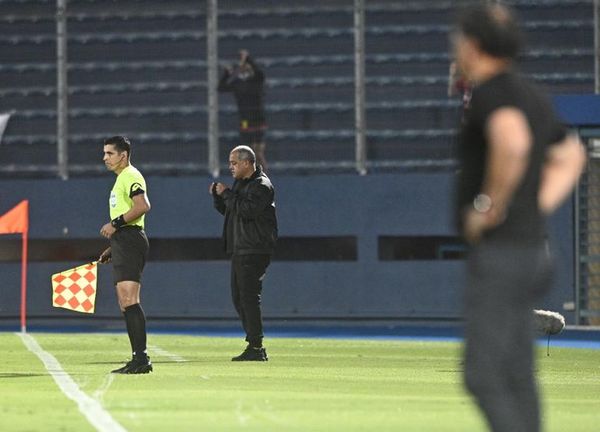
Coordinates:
<point>246,80</point>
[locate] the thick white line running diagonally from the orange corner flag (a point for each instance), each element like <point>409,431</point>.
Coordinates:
<point>100,419</point>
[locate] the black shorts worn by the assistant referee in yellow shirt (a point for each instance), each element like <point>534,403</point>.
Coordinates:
<point>129,246</point>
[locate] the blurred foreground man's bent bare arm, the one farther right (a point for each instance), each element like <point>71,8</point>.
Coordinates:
<point>564,163</point>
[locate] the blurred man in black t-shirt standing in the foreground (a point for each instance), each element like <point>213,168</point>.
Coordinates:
<point>518,165</point>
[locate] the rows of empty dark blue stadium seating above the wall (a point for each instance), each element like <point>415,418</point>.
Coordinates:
<point>139,68</point>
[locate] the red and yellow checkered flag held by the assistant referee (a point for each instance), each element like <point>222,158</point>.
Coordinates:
<point>75,289</point>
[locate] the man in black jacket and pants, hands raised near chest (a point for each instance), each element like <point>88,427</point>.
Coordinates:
<point>249,234</point>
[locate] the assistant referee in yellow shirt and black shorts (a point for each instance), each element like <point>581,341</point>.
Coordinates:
<point>128,249</point>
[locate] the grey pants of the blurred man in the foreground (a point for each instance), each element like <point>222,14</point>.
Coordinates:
<point>503,281</point>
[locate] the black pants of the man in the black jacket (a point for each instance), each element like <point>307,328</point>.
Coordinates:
<point>247,273</point>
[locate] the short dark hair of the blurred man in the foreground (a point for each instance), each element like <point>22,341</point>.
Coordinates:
<point>494,27</point>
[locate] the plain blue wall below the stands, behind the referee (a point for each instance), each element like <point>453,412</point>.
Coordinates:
<point>328,205</point>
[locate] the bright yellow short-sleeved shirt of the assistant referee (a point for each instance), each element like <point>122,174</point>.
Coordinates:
<point>129,183</point>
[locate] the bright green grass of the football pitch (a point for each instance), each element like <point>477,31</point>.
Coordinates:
<point>308,385</point>
